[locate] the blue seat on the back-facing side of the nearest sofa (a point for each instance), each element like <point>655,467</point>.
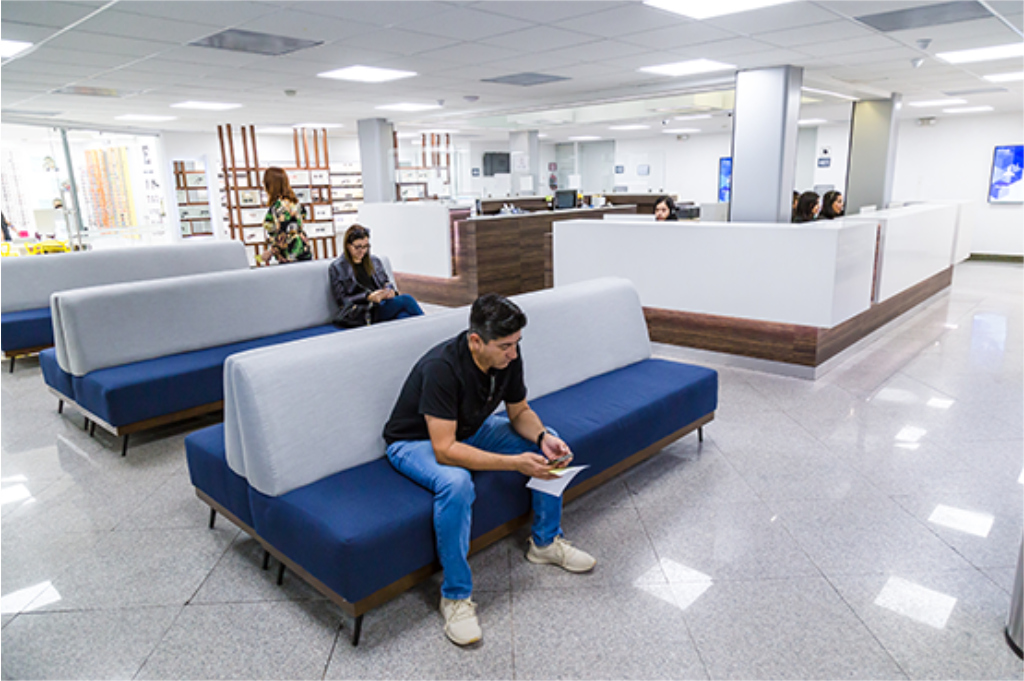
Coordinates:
<point>211,475</point>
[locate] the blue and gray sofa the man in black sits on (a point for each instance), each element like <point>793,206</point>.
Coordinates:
<point>300,464</point>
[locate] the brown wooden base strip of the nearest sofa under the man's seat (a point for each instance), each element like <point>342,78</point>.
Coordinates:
<point>359,609</point>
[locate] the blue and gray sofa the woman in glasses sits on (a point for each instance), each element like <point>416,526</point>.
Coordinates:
<point>133,357</point>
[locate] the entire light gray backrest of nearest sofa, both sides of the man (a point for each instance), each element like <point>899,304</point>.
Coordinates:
<point>295,414</point>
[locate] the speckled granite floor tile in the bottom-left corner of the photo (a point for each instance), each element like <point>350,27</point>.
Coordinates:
<point>83,645</point>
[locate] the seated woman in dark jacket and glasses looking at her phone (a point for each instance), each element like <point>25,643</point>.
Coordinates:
<point>362,287</point>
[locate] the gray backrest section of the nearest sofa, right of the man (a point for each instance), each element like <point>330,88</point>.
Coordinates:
<point>577,332</point>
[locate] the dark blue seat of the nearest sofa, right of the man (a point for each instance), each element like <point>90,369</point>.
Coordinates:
<point>616,415</point>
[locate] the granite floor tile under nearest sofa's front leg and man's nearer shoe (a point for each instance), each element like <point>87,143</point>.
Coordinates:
<point>405,640</point>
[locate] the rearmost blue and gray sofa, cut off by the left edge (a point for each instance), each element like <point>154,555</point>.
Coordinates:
<point>26,325</point>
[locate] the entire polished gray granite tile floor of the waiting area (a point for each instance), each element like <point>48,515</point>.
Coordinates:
<point>863,526</point>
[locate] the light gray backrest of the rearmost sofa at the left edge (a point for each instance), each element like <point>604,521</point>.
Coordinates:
<point>28,283</point>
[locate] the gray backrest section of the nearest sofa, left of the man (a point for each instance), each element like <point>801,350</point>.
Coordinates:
<point>304,411</point>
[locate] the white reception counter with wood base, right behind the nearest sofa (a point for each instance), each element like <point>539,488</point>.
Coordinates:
<point>797,294</point>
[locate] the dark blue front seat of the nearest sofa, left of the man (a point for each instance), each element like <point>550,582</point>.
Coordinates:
<point>357,531</point>
